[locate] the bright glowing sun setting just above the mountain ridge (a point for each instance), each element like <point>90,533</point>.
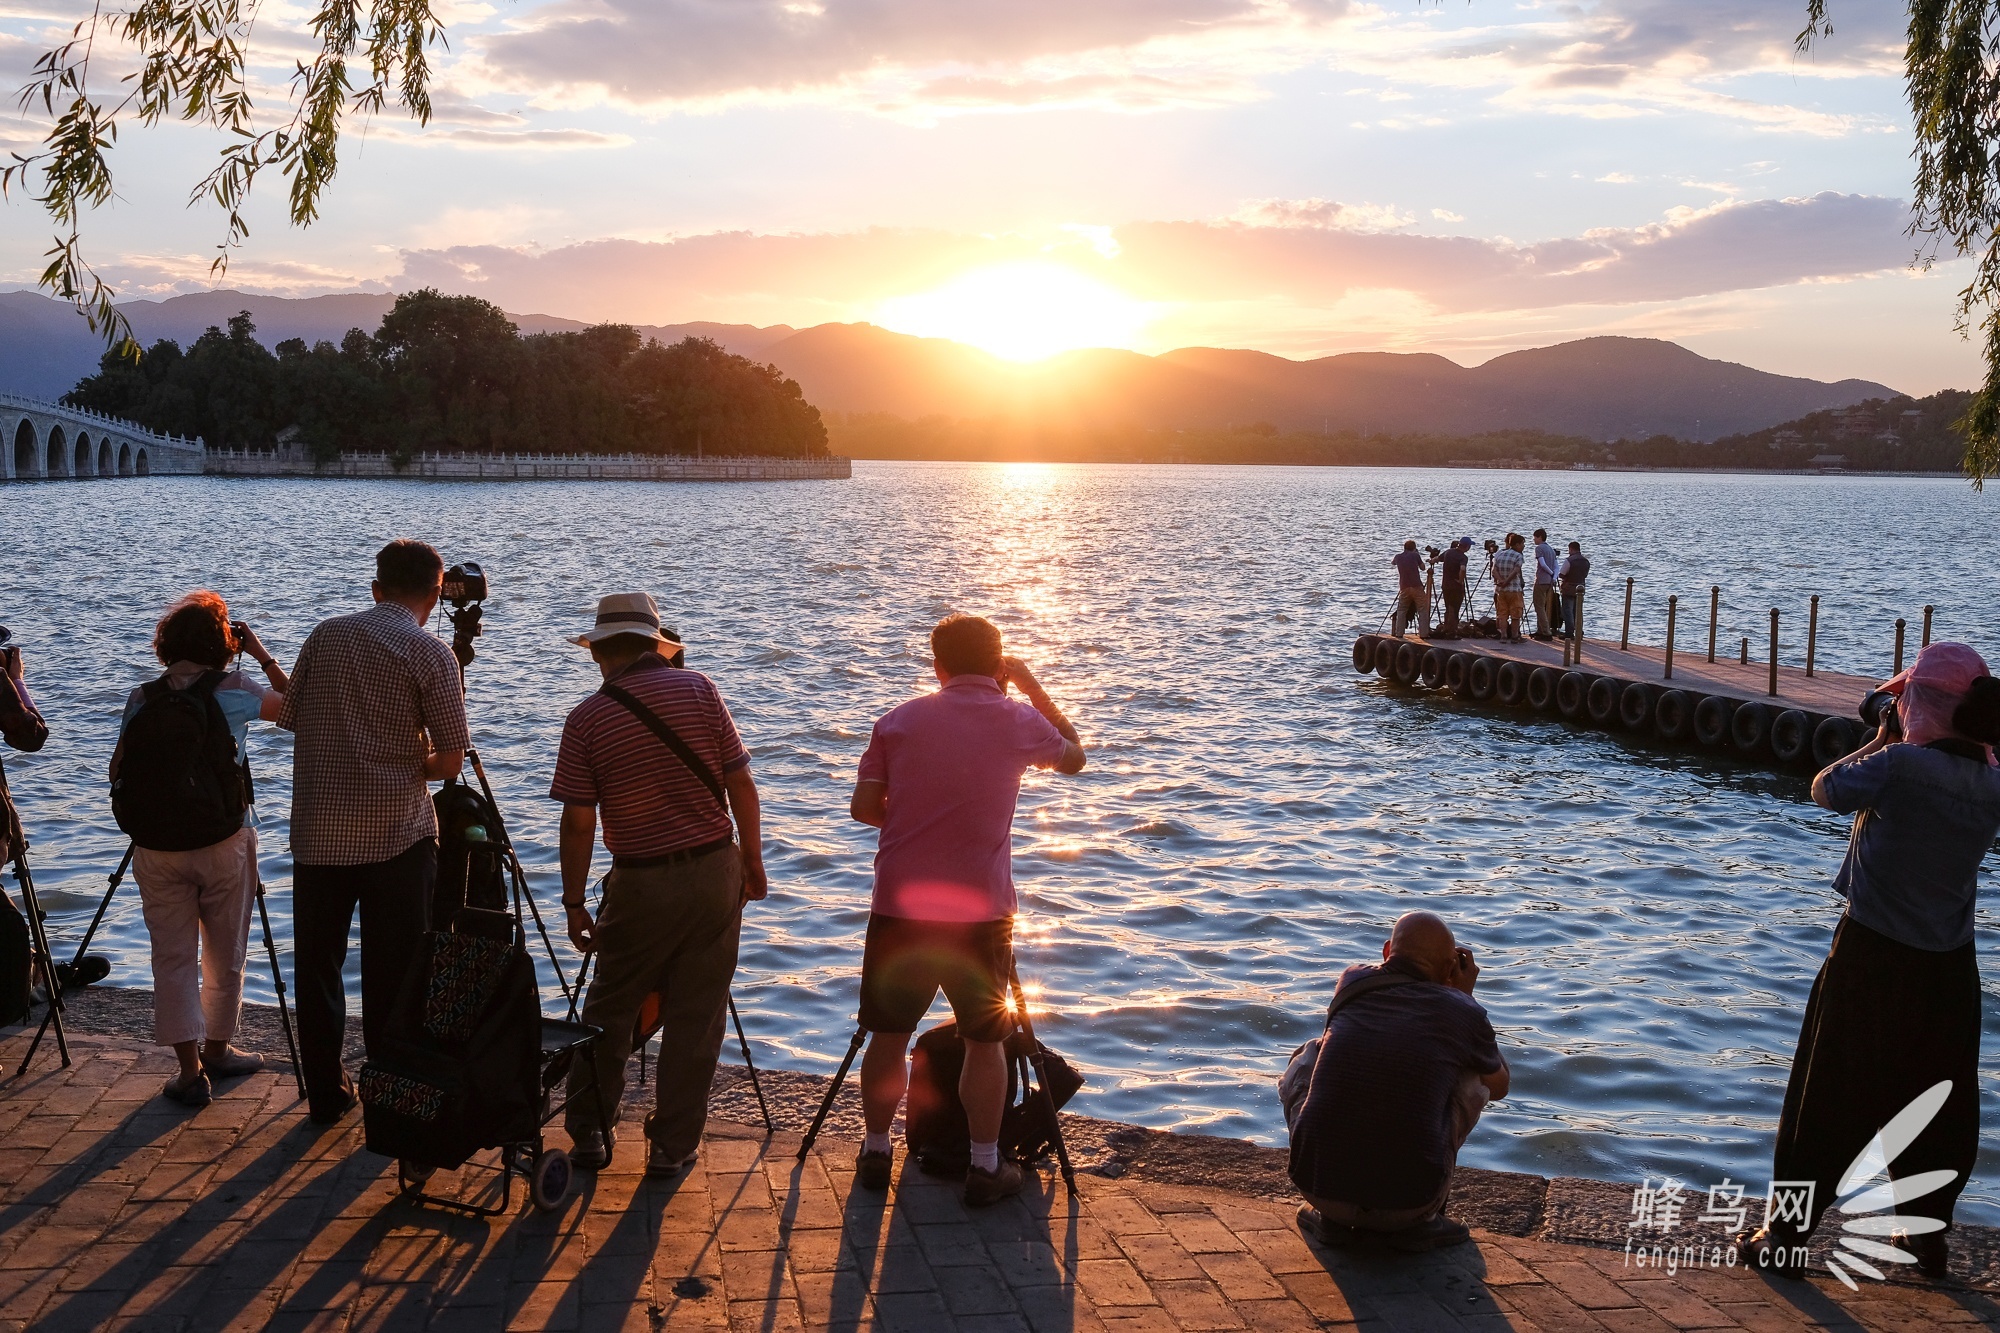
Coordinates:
<point>1021,311</point>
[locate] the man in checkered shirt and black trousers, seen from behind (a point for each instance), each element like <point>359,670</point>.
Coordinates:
<point>379,710</point>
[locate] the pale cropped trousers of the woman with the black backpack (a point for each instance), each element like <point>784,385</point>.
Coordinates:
<point>199,916</point>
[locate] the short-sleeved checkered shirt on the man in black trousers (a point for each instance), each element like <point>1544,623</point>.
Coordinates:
<point>365,696</point>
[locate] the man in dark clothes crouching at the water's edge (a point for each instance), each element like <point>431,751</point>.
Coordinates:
<point>1383,1102</point>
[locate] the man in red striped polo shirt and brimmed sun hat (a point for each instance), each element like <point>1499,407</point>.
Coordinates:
<point>659,756</point>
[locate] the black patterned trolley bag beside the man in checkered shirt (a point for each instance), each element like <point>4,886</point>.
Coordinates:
<point>461,1068</point>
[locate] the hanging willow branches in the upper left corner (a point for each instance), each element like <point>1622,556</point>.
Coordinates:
<point>191,67</point>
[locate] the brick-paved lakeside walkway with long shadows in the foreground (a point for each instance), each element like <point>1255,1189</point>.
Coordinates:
<point>127,1212</point>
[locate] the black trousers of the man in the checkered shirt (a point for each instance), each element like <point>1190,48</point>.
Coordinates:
<point>395,900</point>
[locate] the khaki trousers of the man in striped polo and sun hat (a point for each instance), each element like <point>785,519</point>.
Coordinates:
<point>663,930</point>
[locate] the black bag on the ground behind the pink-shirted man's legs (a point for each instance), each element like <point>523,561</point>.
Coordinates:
<point>935,1118</point>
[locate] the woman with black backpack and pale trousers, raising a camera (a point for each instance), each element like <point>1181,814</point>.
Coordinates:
<point>181,790</point>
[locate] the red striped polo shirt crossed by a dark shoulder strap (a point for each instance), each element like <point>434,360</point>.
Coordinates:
<point>645,794</point>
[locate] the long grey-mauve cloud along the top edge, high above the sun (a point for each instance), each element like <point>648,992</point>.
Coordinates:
<point>895,53</point>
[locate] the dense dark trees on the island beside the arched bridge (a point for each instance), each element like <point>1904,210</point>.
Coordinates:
<point>453,375</point>
